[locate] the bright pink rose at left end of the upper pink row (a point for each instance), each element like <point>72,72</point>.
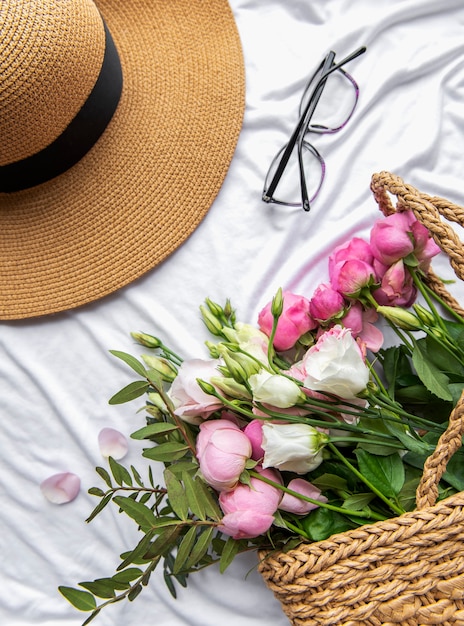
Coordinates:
<point>294,321</point>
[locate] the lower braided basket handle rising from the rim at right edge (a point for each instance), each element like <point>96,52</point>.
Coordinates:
<point>435,466</point>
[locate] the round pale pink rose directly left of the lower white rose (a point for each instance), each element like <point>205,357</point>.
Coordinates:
<point>222,451</point>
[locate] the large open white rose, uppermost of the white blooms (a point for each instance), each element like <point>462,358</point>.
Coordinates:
<point>336,365</point>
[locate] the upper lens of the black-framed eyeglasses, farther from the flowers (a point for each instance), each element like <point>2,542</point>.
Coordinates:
<point>336,104</point>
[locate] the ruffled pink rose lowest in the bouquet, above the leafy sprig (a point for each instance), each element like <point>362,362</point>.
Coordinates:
<point>249,511</point>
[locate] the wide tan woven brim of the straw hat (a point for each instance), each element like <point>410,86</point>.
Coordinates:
<point>151,177</point>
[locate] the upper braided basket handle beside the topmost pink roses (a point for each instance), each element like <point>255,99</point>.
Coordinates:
<point>428,210</point>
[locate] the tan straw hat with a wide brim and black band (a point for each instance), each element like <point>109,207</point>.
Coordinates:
<point>143,161</point>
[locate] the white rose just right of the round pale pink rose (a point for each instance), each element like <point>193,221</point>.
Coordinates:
<point>292,447</point>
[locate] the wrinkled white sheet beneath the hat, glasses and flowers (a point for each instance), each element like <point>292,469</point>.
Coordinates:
<point>56,374</point>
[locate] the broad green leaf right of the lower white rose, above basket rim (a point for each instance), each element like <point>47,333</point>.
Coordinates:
<point>386,473</point>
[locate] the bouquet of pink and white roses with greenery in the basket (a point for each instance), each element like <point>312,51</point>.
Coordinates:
<point>295,429</point>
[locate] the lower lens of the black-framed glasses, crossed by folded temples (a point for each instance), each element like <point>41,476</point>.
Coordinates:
<point>288,190</point>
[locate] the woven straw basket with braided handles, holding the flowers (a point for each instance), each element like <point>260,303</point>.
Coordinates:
<point>410,569</point>
